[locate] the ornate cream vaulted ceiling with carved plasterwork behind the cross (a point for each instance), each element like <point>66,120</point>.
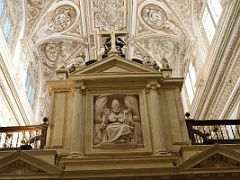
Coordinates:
<point>65,32</point>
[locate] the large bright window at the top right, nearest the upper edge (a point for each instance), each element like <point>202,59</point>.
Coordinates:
<point>210,17</point>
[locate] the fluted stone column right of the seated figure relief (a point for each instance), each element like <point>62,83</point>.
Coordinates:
<point>157,124</point>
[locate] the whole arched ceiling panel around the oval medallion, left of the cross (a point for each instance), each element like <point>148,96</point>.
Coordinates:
<point>59,18</point>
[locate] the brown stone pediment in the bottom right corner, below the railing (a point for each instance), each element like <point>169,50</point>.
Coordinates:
<point>217,156</point>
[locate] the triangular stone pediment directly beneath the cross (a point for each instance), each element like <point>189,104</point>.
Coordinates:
<point>115,65</point>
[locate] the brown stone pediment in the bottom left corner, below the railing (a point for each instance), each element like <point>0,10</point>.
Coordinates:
<point>21,163</point>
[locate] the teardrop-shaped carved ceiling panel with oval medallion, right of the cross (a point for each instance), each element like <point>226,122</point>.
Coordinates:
<point>156,18</point>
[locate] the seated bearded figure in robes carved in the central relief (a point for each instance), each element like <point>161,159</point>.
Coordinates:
<point>115,126</point>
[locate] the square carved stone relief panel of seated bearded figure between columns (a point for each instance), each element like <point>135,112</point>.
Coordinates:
<point>117,120</point>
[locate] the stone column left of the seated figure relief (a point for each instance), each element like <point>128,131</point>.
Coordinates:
<point>77,123</point>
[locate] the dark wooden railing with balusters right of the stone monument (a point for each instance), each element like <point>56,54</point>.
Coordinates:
<point>214,131</point>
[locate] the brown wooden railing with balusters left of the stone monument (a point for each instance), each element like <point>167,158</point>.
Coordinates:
<point>23,137</point>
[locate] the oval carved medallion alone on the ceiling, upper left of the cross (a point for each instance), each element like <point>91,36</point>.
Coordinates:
<point>62,18</point>
